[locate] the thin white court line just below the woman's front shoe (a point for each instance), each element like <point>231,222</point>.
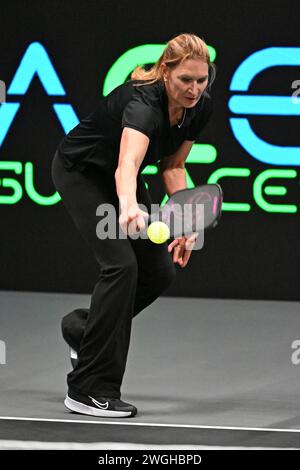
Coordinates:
<point>161,425</point>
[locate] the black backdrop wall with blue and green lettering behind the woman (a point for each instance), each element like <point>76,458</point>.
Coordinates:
<point>253,253</point>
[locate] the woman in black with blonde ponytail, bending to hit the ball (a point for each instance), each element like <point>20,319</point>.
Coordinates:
<point>153,118</point>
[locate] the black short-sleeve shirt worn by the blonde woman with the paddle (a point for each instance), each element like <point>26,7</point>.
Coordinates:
<point>96,139</point>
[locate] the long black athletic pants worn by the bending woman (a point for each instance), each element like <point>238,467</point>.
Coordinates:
<point>132,274</point>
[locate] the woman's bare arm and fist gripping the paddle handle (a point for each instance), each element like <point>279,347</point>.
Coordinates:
<point>133,147</point>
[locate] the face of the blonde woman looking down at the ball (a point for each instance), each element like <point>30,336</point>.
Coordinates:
<point>186,82</point>
